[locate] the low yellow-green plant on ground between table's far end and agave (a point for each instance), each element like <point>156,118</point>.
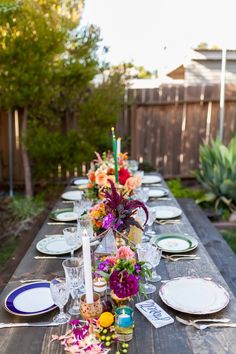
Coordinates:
<point>179,191</point>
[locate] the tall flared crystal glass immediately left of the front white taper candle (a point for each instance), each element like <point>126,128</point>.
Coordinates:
<point>73,268</point>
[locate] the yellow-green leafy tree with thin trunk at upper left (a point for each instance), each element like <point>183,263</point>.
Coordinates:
<point>33,36</point>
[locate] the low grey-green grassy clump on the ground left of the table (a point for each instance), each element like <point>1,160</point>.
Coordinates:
<point>23,208</point>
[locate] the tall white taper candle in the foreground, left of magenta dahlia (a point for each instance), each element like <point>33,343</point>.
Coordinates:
<point>87,267</point>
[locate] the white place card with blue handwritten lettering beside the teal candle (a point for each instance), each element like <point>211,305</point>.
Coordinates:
<point>154,313</point>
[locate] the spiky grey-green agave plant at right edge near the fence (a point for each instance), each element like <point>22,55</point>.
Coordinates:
<point>217,172</point>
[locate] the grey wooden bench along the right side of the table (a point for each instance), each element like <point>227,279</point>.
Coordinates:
<point>220,252</point>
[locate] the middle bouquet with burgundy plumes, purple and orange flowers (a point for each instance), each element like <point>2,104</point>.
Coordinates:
<point>117,211</point>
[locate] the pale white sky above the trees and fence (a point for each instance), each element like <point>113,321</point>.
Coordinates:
<point>158,34</point>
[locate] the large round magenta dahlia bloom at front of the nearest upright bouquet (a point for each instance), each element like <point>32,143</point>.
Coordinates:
<point>124,284</point>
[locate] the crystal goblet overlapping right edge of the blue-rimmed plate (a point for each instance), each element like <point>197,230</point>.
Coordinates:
<point>60,295</point>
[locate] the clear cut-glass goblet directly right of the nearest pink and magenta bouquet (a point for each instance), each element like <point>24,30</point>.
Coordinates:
<point>146,253</point>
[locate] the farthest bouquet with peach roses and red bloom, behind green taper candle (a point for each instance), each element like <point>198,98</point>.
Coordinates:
<point>103,170</point>
